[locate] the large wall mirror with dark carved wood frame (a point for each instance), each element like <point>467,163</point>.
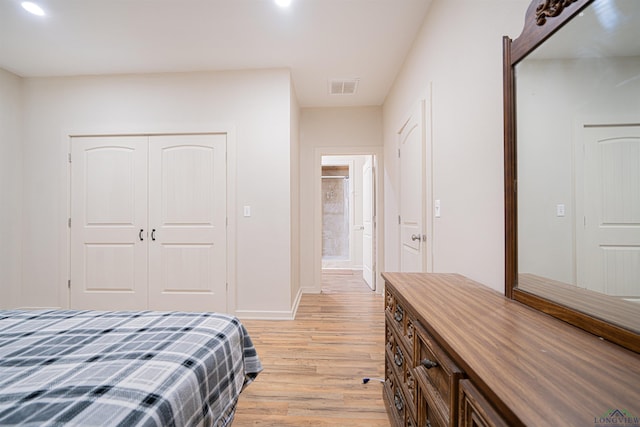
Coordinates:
<point>572,164</point>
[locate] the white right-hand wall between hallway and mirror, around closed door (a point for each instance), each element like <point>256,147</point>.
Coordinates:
<point>459,52</point>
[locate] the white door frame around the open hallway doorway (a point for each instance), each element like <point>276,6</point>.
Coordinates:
<point>378,155</point>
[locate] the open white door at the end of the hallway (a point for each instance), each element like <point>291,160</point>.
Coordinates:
<point>368,218</point>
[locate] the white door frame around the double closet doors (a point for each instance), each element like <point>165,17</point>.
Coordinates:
<point>64,252</point>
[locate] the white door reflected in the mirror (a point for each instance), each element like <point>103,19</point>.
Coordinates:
<point>608,207</point>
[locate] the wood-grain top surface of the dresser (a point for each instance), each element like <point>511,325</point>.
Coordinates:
<point>534,369</point>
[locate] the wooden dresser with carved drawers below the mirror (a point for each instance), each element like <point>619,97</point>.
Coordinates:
<point>460,353</point>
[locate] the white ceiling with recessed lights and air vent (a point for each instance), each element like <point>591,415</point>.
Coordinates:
<point>318,40</point>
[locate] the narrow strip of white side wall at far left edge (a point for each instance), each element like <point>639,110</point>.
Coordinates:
<point>10,188</point>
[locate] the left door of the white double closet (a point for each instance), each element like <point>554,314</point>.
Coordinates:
<point>109,217</point>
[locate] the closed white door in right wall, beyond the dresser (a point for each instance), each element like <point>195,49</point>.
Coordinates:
<point>412,193</point>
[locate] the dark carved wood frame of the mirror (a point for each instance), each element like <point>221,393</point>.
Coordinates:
<point>542,20</point>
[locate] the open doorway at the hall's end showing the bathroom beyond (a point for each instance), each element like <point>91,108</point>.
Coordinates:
<point>346,202</point>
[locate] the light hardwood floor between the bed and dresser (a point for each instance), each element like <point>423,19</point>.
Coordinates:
<point>314,365</point>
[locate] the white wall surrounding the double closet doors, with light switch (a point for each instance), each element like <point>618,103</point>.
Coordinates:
<point>256,104</point>
